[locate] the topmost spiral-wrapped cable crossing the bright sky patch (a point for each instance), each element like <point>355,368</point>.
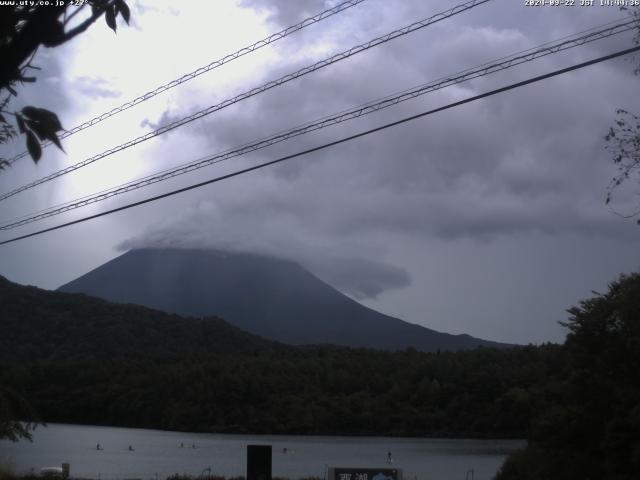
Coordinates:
<point>207,68</point>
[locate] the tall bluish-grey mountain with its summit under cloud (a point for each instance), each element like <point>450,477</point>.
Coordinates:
<point>273,298</point>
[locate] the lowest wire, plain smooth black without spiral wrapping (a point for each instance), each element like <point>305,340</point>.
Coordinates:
<point>330,144</point>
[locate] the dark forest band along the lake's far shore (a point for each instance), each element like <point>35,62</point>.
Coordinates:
<point>319,390</point>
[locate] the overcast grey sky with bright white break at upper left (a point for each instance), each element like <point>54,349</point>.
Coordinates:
<point>487,219</point>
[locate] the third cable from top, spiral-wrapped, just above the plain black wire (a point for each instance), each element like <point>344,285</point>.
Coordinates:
<point>368,108</point>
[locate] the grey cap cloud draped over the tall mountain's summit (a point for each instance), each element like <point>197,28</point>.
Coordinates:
<point>245,228</point>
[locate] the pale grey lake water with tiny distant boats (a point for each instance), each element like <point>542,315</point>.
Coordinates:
<point>158,454</point>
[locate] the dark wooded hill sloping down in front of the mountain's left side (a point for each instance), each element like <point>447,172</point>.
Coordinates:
<point>39,324</point>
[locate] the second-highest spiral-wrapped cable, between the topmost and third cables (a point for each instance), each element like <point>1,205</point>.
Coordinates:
<point>255,91</point>
